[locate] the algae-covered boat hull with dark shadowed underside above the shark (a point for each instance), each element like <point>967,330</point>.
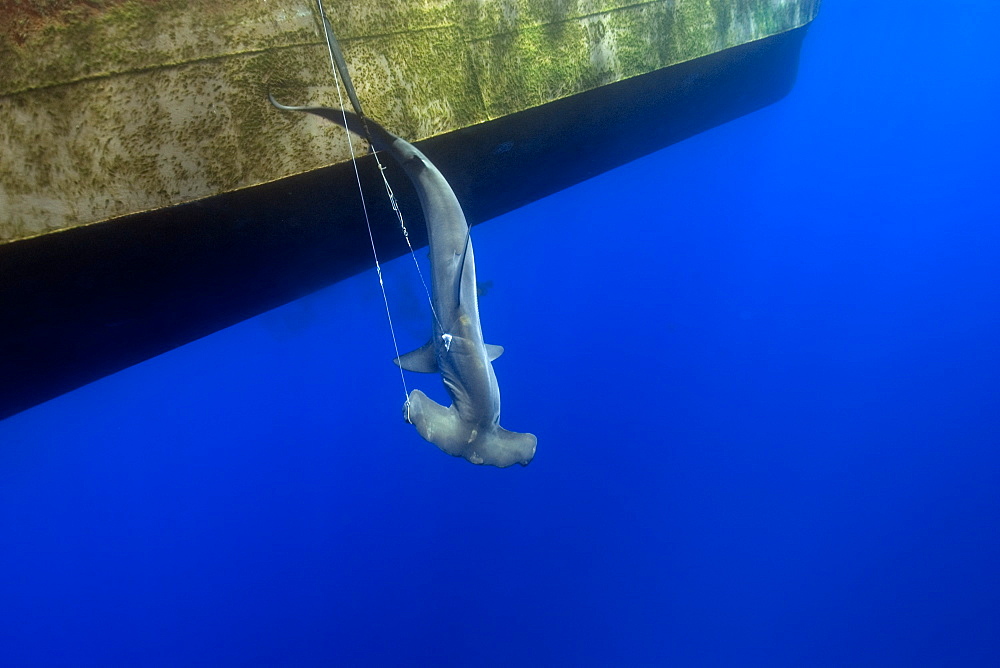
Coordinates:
<point>150,195</point>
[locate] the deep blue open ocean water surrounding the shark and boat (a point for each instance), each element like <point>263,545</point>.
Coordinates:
<point>763,366</point>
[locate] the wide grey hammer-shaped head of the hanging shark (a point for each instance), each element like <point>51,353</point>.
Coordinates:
<point>444,428</point>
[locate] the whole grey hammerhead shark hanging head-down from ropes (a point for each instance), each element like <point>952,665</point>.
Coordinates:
<point>470,427</point>
